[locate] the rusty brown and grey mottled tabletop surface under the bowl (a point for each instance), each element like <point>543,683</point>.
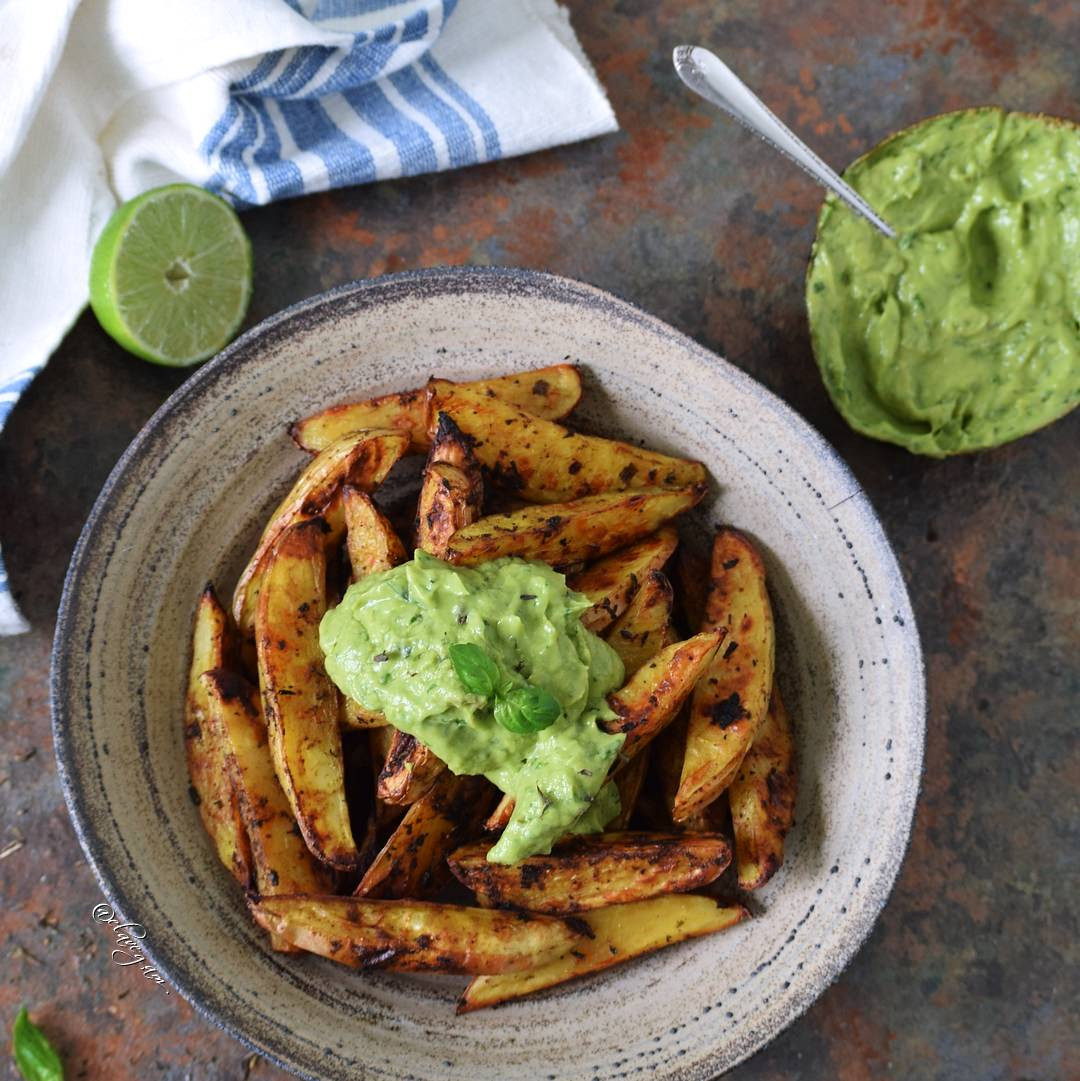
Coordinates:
<point>972,970</point>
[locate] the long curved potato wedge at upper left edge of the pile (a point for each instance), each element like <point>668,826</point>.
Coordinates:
<point>362,459</point>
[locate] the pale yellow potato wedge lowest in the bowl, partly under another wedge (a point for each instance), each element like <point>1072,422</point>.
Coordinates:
<point>616,935</point>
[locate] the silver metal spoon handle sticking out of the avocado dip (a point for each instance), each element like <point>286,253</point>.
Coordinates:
<point>706,75</point>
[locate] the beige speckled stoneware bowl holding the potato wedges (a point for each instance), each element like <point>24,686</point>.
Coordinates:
<point>185,504</point>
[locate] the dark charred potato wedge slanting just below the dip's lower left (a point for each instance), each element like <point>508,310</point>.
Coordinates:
<point>414,861</point>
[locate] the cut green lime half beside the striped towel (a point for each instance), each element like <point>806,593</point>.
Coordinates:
<point>170,278</point>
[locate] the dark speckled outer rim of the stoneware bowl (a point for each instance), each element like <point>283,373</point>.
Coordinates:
<point>298,318</point>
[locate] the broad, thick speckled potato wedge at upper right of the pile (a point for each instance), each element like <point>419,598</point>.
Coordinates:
<point>543,462</point>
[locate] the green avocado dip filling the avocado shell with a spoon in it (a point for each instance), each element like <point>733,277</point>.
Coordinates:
<point>964,332</point>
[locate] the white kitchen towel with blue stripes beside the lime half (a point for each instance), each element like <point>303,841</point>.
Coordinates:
<point>257,100</point>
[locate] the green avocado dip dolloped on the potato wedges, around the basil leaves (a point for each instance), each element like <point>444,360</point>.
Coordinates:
<point>388,646</point>
